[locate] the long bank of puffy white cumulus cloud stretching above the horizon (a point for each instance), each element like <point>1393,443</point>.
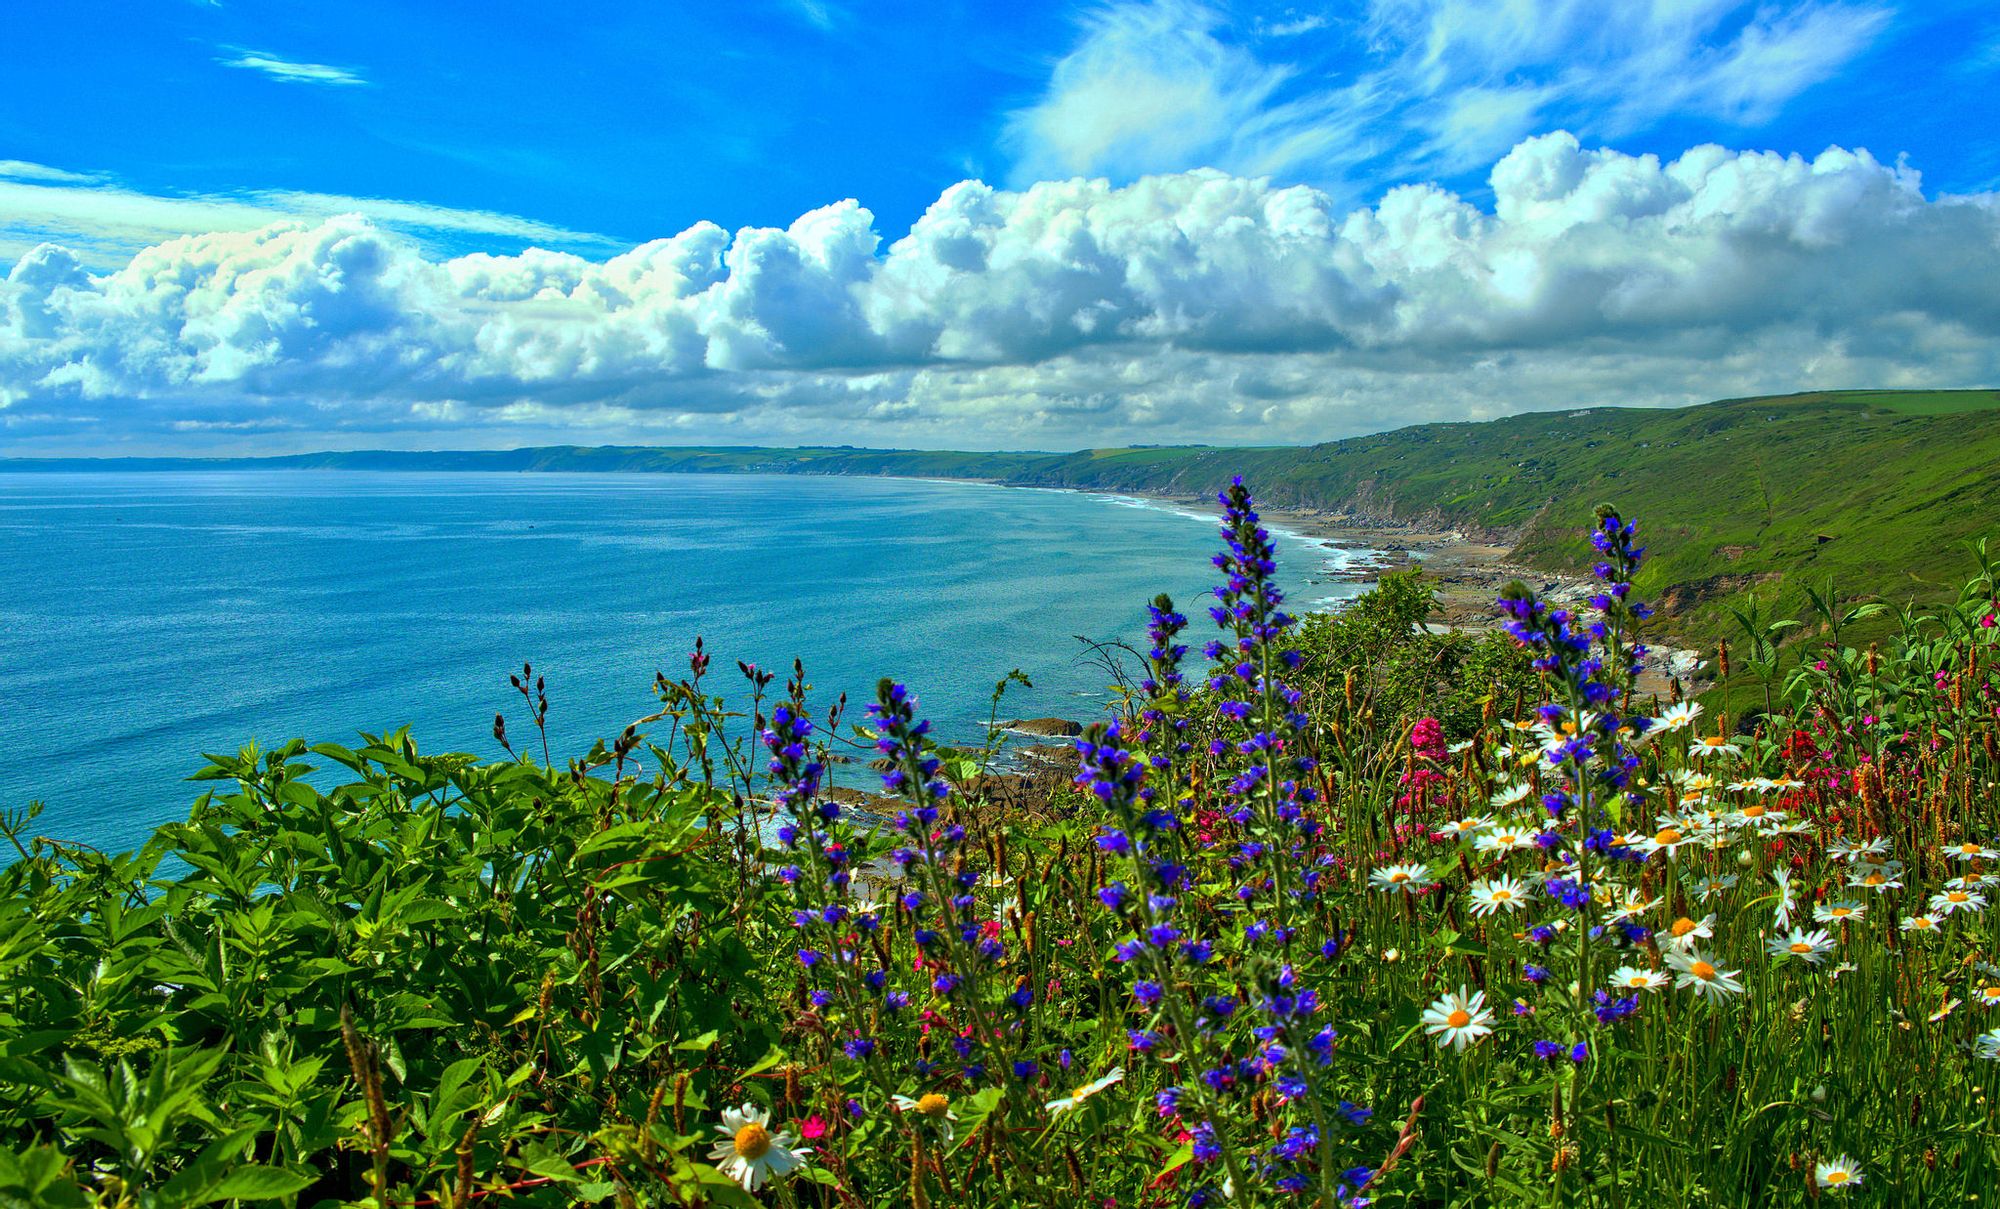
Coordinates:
<point>1185,307</point>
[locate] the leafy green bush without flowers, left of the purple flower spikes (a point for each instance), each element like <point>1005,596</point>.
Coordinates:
<point>445,966</point>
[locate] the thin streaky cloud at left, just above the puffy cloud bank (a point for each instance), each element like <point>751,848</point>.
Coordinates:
<point>105,221</point>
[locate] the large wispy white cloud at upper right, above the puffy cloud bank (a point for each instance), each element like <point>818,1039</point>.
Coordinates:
<point>1417,87</point>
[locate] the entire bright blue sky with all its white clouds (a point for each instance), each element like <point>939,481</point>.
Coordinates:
<point>247,227</point>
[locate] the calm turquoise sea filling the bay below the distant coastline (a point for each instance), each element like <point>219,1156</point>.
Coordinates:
<point>151,618</point>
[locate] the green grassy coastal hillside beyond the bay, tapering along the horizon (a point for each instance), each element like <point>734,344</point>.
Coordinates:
<point>1729,493</point>
